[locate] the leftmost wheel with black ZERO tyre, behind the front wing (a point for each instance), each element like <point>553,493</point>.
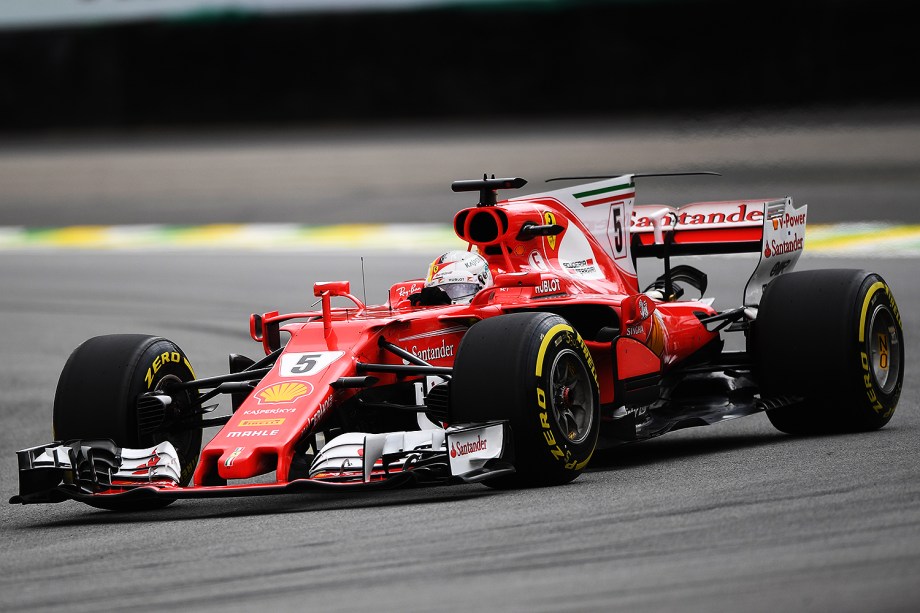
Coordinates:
<point>97,393</point>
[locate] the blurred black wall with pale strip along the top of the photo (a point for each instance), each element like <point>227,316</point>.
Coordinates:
<point>129,64</point>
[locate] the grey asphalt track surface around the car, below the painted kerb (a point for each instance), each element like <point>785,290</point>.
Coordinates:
<point>731,517</point>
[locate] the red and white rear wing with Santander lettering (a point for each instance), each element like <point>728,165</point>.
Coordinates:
<point>773,228</point>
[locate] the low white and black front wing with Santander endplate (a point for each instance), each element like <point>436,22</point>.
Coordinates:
<point>98,471</point>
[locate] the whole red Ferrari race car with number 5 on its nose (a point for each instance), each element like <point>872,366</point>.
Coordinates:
<point>511,364</point>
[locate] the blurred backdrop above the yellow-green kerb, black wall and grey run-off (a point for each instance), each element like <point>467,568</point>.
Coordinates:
<point>335,111</point>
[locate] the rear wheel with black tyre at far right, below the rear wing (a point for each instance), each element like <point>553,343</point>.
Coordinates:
<point>833,338</point>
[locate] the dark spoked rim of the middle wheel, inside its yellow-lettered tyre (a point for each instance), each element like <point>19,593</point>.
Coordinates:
<point>573,396</point>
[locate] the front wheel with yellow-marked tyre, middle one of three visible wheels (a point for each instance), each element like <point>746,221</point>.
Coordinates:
<point>534,370</point>
